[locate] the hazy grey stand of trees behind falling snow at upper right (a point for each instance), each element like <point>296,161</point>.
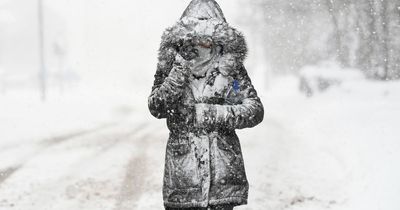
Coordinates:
<point>362,34</point>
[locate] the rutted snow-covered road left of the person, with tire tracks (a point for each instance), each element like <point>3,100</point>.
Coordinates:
<point>110,167</point>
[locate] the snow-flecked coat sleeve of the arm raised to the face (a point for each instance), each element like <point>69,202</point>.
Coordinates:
<point>168,83</point>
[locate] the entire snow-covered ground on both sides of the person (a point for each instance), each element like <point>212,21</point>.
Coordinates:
<point>336,150</point>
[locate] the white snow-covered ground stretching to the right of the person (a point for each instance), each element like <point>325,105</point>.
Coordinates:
<point>335,150</point>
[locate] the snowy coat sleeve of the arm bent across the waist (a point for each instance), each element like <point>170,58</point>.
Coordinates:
<point>247,113</point>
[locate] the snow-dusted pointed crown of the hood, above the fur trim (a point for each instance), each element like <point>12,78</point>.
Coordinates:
<point>204,10</point>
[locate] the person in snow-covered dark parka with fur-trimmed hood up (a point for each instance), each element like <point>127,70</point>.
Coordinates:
<point>202,89</point>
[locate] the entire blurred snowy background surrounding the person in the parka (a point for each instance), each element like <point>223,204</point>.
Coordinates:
<point>75,132</point>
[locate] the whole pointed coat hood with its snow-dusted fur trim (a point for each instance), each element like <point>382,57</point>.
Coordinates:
<point>204,19</point>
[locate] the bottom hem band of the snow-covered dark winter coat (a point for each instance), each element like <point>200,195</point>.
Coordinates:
<point>236,201</point>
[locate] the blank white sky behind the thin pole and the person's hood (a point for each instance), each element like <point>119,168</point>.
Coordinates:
<point>106,40</point>
